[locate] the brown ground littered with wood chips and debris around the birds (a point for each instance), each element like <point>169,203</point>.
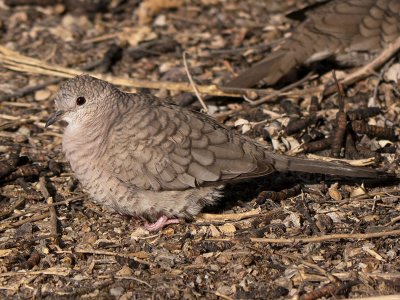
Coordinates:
<point>283,236</point>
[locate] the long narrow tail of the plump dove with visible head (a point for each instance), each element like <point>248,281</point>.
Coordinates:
<point>285,163</point>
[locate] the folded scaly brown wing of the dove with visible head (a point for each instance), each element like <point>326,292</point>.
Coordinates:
<point>180,149</point>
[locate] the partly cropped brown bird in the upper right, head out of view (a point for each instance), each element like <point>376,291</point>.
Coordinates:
<point>349,32</point>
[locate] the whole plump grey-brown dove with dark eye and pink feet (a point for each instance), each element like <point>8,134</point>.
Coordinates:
<point>142,156</point>
